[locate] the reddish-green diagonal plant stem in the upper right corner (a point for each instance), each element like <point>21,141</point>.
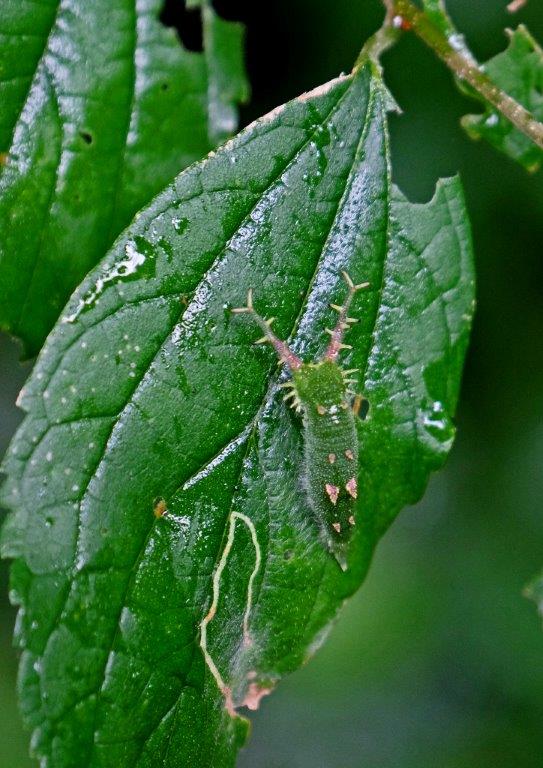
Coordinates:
<point>466,68</point>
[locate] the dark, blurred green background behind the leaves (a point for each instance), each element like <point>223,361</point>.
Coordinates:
<point>438,661</point>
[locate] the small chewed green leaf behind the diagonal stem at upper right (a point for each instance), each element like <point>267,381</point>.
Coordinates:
<point>519,72</point>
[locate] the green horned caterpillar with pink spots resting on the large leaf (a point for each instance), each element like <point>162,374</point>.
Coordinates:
<point>320,392</point>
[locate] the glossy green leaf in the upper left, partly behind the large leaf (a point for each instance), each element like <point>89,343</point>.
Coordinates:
<point>101,107</point>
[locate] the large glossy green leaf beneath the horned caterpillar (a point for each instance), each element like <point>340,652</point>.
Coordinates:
<point>150,388</point>
